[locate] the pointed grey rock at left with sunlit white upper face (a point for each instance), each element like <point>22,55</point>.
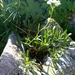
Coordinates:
<point>9,58</point>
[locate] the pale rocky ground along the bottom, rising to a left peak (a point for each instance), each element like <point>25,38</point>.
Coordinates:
<point>11,61</point>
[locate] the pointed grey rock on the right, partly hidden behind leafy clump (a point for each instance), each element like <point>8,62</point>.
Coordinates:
<point>66,64</point>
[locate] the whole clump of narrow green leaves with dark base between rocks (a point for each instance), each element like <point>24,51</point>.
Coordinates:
<point>50,41</point>
